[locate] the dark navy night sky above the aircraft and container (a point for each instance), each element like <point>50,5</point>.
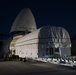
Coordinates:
<point>46,12</point>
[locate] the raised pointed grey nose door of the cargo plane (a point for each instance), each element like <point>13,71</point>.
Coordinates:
<point>24,21</point>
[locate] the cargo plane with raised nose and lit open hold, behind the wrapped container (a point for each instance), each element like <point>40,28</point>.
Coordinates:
<point>23,24</point>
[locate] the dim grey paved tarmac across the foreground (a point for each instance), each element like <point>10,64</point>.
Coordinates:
<point>33,68</point>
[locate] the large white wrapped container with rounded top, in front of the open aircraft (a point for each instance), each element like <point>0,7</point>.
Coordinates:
<point>46,41</point>
